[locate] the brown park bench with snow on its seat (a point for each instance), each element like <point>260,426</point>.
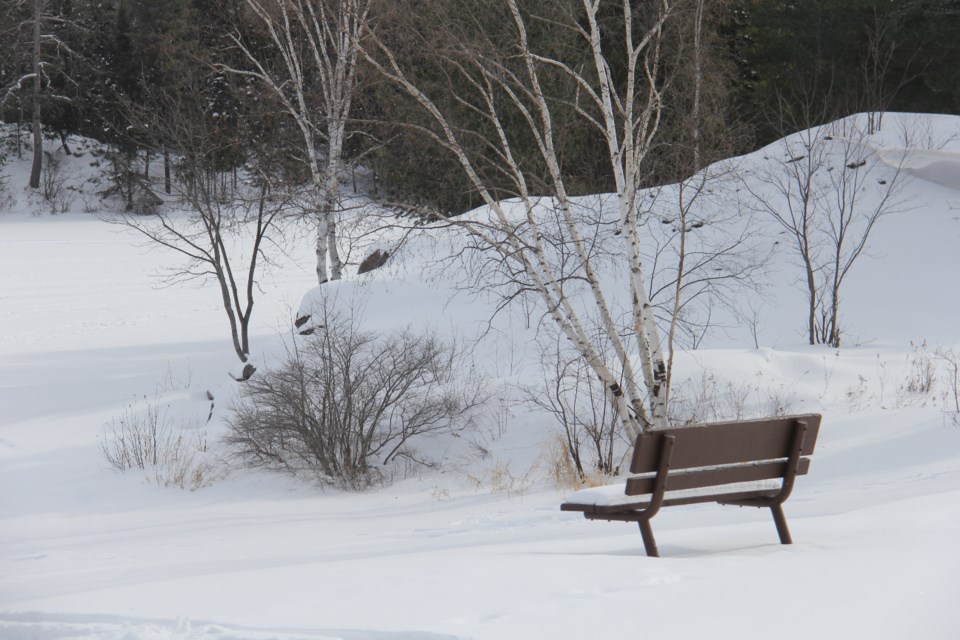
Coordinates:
<point>748,464</point>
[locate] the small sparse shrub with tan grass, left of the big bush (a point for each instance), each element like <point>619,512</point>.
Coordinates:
<point>173,455</point>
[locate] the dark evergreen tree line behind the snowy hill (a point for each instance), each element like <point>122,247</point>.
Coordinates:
<point>93,67</point>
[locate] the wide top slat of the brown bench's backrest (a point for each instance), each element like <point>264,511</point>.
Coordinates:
<point>724,443</point>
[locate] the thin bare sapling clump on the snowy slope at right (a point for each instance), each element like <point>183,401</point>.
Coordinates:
<point>826,193</point>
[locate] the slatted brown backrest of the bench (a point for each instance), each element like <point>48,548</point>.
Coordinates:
<point>724,452</point>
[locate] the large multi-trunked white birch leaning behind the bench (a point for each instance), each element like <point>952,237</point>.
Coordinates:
<point>512,82</point>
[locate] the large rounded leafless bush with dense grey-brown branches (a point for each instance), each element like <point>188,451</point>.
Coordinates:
<point>347,402</point>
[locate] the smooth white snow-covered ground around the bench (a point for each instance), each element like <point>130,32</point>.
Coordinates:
<point>89,553</point>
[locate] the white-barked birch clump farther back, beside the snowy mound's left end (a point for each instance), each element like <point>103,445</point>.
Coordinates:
<point>312,70</point>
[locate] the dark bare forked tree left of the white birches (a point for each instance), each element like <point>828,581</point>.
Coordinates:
<point>220,218</point>
